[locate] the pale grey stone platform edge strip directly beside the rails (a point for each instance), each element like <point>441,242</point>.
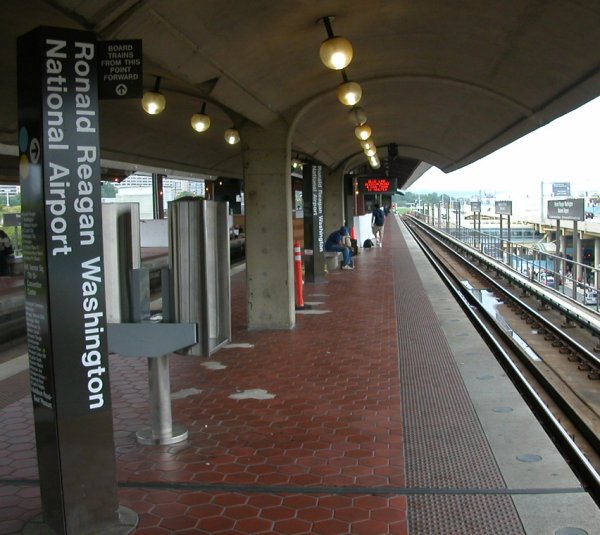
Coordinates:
<point>513,433</point>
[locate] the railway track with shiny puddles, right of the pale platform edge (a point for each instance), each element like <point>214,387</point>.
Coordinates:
<point>546,351</point>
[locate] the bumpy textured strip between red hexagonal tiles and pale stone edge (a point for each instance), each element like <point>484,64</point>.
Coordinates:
<point>445,446</point>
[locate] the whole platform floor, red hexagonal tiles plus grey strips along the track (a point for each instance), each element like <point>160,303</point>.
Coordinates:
<point>381,412</point>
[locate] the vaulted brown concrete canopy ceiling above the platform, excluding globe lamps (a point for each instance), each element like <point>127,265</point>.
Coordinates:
<point>447,81</point>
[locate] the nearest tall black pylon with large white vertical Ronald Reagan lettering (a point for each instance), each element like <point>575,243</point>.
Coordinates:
<point>59,168</point>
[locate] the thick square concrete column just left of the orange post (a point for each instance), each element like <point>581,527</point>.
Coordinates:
<point>269,248</point>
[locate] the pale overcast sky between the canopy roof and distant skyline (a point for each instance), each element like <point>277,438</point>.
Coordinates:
<point>565,150</point>
